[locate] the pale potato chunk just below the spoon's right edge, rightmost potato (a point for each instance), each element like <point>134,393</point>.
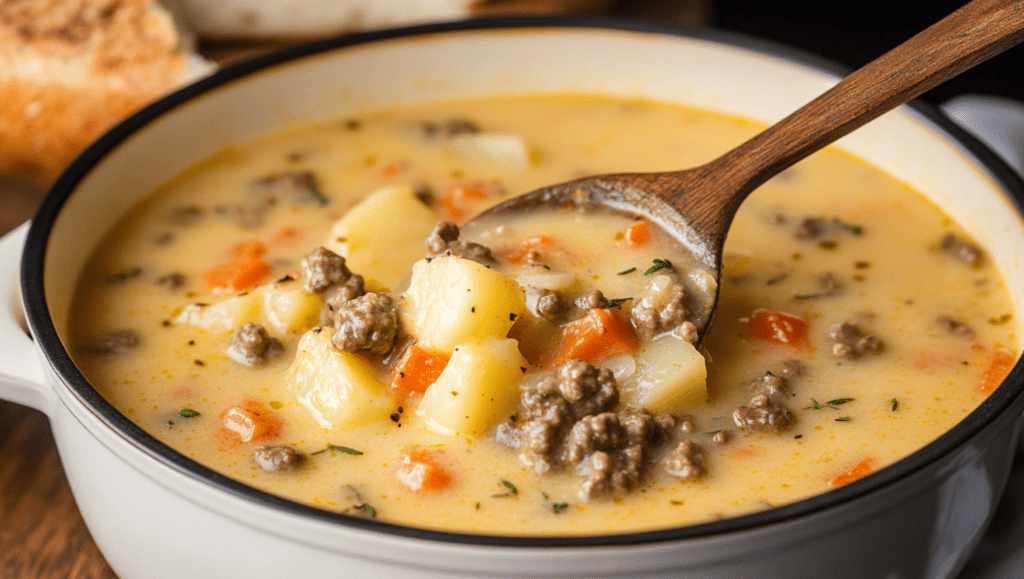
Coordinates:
<point>670,375</point>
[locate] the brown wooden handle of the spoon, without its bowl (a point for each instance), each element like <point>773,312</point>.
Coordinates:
<point>969,36</point>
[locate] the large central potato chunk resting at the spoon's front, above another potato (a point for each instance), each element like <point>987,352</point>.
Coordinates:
<point>452,302</point>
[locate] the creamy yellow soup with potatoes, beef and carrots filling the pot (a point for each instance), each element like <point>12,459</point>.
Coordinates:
<point>304,314</point>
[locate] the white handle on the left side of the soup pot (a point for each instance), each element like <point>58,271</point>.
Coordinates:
<point>22,378</point>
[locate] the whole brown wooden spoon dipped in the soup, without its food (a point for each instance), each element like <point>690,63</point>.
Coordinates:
<point>699,205</point>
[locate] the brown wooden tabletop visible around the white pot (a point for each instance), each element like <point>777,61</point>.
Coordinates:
<point>42,535</point>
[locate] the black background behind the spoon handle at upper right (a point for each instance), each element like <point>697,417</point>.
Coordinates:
<point>855,33</point>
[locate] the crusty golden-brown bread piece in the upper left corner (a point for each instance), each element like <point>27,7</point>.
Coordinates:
<point>71,69</point>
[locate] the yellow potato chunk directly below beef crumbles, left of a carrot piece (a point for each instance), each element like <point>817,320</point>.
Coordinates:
<point>339,389</point>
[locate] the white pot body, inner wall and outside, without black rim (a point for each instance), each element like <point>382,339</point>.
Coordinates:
<point>156,514</point>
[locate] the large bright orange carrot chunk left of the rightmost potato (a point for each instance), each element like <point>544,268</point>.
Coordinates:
<point>599,336</point>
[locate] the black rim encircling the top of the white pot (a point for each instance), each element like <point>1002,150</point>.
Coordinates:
<point>1006,401</point>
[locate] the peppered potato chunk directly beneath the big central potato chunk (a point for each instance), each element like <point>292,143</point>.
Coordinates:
<point>480,387</point>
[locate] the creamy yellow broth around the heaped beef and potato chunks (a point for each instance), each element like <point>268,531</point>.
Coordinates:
<point>892,278</point>
